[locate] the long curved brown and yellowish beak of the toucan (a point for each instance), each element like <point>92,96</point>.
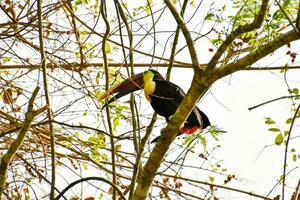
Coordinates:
<point>127,86</point>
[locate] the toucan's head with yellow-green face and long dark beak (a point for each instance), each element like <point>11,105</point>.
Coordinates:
<point>131,84</point>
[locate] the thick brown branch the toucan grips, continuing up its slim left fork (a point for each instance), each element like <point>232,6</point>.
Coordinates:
<point>180,116</point>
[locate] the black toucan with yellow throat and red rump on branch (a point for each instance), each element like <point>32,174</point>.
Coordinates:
<point>164,97</point>
